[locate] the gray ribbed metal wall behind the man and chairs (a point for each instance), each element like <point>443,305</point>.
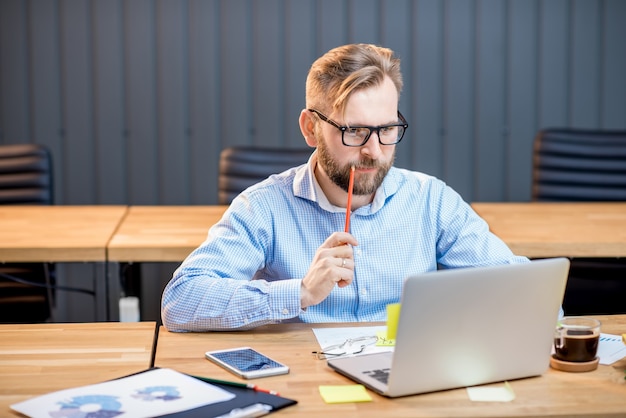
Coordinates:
<point>136,98</point>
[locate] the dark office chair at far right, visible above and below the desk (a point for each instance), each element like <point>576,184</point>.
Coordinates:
<point>572,165</point>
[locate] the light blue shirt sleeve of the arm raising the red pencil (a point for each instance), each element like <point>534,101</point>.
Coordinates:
<point>214,288</point>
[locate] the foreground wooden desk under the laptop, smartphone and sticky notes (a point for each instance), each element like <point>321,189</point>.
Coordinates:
<point>598,393</point>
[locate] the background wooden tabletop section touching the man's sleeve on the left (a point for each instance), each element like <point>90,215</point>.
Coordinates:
<point>162,233</point>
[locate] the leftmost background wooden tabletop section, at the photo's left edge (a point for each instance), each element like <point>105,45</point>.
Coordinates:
<point>57,233</point>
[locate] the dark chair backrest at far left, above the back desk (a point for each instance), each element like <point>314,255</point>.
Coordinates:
<point>25,175</point>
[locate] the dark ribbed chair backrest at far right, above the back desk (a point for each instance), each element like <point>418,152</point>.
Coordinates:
<point>579,165</point>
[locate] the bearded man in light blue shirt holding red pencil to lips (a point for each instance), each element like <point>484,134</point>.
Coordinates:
<point>280,253</point>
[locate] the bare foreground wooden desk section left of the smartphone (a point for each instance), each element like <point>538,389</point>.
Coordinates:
<point>41,358</point>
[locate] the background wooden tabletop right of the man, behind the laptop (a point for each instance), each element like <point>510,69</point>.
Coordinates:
<point>558,229</point>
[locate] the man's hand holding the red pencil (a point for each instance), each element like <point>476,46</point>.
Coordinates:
<point>332,265</point>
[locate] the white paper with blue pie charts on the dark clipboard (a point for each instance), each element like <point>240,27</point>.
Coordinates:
<point>153,393</point>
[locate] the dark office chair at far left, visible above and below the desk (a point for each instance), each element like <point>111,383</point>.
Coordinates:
<point>26,178</point>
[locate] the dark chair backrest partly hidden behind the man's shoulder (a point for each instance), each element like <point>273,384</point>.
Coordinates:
<point>242,166</point>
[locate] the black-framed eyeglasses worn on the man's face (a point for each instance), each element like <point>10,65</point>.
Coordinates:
<point>357,136</point>
